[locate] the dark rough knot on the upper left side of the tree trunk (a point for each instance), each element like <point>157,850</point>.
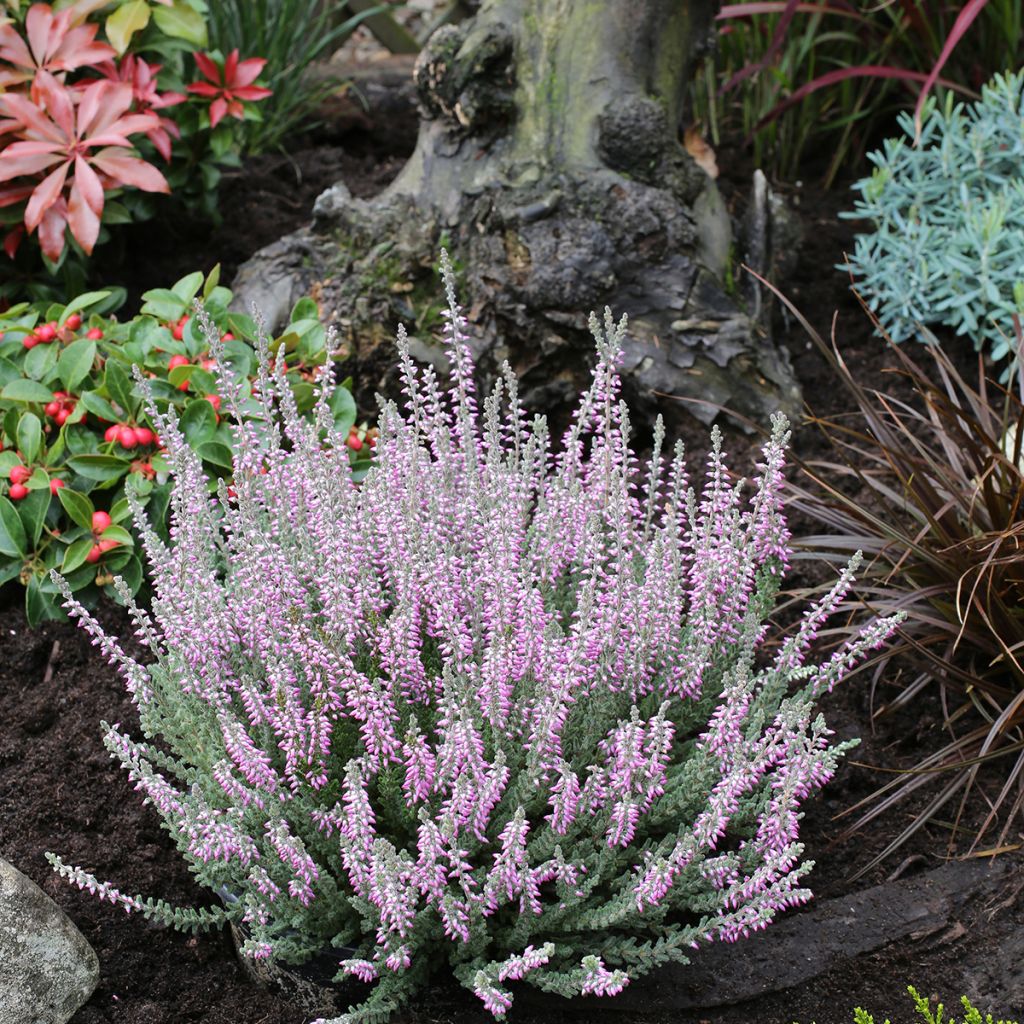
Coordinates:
<point>467,81</point>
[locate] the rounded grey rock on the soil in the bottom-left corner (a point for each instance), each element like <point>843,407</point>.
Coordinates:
<point>48,969</point>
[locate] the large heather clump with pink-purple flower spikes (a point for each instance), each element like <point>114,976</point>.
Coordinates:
<point>495,705</point>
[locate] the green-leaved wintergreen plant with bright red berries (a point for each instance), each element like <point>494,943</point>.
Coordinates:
<point>75,434</point>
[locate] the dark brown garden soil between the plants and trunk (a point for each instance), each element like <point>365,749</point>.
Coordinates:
<point>60,791</point>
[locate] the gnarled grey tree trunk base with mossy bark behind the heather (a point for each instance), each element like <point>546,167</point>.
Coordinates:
<point>549,162</point>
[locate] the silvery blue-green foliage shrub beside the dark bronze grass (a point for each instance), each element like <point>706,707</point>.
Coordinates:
<point>949,216</point>
